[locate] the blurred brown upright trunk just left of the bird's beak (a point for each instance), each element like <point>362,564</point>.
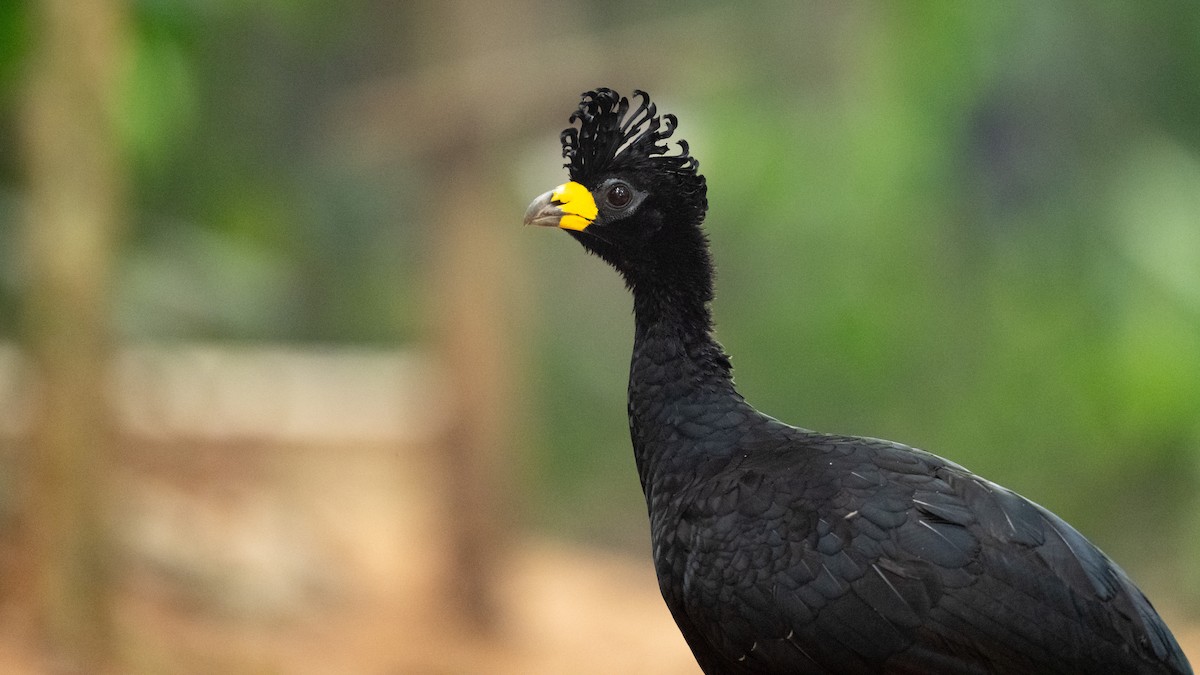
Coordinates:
<point>476,354</point>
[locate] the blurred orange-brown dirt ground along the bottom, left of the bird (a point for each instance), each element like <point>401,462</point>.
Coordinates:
<point>563,611</point>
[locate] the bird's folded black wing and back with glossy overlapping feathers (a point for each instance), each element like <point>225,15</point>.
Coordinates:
<point>866,557</point>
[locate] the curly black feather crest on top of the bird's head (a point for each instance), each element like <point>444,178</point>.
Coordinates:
<point>611,138</point>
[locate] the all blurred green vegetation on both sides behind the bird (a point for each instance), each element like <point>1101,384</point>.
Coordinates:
<point>971,228</point>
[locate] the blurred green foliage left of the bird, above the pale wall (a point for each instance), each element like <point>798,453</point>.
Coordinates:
<point>245,223</point>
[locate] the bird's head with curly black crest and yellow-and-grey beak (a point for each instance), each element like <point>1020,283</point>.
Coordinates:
<point>629,200</point>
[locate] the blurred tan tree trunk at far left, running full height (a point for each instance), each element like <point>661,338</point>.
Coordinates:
<point>76,192</point>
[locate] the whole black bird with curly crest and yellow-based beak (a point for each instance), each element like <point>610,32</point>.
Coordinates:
<point>785,551</point>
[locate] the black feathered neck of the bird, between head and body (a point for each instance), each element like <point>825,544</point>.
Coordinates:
<point>683,407</point>
